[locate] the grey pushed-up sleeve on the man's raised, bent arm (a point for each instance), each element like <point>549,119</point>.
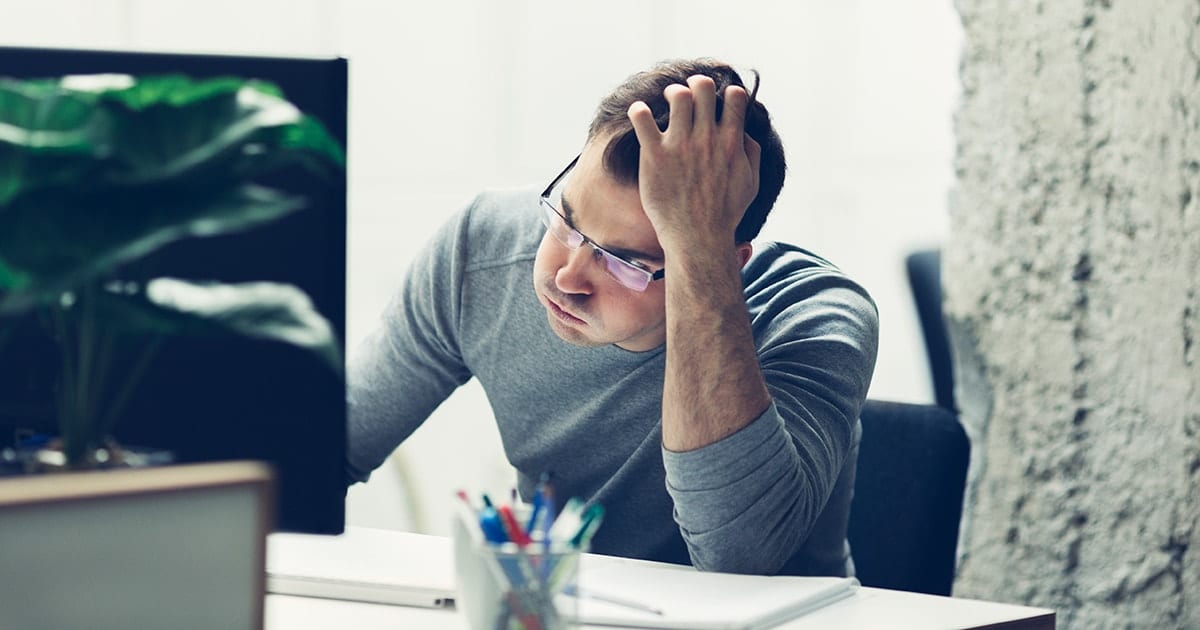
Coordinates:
<point>748,503</point>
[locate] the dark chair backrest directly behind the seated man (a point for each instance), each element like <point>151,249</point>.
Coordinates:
<point>904,519</point>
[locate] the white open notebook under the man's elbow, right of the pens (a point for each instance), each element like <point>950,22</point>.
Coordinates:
<point>626,596</point>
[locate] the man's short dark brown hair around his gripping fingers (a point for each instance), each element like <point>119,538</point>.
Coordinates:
<point>621,157</point>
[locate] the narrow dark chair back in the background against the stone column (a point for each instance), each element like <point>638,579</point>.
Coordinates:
<point>925,271</point>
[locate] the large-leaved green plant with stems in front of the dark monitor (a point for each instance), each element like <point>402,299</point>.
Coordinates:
<point>98,172</point>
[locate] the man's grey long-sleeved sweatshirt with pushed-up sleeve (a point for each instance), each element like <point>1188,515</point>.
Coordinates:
<point>773,497</point>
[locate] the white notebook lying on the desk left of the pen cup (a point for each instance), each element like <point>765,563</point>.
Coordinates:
<point>363,565</point>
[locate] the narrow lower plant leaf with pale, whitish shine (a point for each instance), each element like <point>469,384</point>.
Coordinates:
<point>261,310</point>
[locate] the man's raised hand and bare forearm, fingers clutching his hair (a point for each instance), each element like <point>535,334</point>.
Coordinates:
<point>697,181</point>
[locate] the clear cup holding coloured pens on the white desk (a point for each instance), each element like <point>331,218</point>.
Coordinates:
<point>506,587</point>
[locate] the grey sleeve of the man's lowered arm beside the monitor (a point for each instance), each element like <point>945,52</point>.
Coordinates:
<point>412,362</point>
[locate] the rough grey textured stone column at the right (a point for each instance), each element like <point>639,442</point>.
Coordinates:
<point>1073,303</point>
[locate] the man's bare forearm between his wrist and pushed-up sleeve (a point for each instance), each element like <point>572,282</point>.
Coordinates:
<point>713,385</point>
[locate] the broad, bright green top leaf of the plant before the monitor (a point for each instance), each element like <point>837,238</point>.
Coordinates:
<point>151,130</point>
